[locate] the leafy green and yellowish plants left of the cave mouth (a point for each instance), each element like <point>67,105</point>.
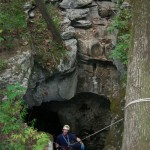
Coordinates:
<point>14,133</point>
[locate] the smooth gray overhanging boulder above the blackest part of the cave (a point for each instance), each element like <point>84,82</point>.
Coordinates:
<point>57,88</point>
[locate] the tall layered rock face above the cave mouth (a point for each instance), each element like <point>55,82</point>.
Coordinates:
<point>87,67</point>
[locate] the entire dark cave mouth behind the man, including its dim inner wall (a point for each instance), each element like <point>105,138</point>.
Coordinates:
<point>86,113</point>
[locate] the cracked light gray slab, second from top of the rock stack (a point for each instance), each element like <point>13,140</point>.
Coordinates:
<point>76,14</point>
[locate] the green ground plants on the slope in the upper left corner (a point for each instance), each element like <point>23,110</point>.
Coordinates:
<point>12,21</point>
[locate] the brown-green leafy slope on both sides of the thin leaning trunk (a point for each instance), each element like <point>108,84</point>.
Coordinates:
<point>47,51</point>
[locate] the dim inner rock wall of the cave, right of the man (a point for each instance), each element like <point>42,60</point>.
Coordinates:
<point>86,113</point>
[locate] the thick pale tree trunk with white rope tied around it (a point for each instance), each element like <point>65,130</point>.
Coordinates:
<point>137,116</point>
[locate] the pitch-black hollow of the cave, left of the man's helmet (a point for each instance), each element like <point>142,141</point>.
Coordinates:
<point>45,120</point>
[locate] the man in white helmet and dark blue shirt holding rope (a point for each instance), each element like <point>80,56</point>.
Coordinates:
<point>68,141</point>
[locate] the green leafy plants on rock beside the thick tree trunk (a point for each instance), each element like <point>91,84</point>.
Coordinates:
<point>121,24</point>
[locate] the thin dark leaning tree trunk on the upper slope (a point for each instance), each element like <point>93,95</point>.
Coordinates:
<point>49,21</point>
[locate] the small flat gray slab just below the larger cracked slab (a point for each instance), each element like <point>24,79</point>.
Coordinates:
<point>82,24</point>
